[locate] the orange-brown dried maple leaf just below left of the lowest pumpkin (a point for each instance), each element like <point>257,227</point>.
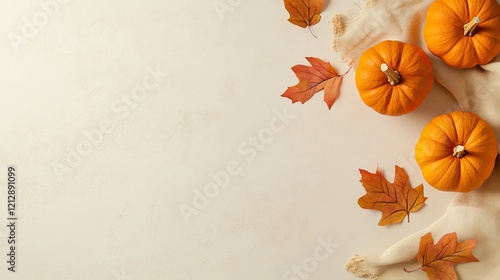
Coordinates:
<point>395,200</point>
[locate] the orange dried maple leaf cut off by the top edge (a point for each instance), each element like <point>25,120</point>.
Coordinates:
<point>304,13</point>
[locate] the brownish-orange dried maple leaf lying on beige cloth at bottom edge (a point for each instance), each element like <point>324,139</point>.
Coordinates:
<point>438,260</point>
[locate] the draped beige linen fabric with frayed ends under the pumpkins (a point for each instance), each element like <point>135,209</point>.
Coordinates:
<point>474,215</point>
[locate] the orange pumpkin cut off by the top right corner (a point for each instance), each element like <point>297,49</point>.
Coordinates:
<point>463,33</point>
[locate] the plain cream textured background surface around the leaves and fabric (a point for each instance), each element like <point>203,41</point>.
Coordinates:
<point>115,213</point>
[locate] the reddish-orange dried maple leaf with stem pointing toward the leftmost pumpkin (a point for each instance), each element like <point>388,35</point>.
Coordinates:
<point>312,79</point>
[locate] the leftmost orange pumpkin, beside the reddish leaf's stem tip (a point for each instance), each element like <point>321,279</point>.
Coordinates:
<point>393,77</point>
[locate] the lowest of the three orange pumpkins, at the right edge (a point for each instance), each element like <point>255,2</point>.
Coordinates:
<point>456,152</point>
